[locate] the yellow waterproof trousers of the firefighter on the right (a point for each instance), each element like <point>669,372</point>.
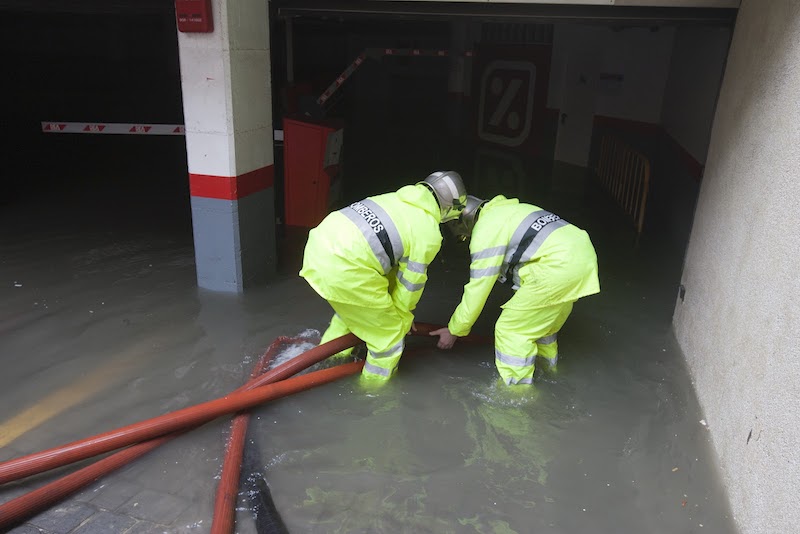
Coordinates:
<point>521,335</point>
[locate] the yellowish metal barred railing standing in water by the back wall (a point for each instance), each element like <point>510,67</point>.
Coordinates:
<point>625,173</point>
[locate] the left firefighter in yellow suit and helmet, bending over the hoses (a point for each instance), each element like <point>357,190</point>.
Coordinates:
<point>370,261</point>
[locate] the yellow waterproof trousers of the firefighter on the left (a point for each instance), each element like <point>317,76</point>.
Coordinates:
<point>382,329</point>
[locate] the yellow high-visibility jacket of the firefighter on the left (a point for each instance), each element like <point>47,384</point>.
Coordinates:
<point>345,260</point>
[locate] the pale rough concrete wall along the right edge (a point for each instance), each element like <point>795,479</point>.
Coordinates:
<point>738,324</point>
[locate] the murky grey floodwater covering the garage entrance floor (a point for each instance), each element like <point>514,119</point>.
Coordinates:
<point>102,325</point>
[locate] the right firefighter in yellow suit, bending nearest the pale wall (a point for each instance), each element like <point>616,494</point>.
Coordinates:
<point>551,263</point>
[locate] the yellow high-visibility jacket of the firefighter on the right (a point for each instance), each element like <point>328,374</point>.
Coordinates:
<point>554,260</point>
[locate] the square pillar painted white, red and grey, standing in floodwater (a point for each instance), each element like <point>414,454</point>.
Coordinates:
<point>227,103</point>
